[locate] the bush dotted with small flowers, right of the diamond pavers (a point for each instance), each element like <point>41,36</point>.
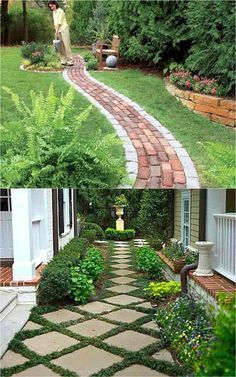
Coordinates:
<point>185,327</point>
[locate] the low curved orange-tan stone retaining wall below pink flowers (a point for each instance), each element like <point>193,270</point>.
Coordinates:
<point>217,109</point>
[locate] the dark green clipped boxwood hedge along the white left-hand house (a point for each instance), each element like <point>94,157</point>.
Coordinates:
<point>55,280</point>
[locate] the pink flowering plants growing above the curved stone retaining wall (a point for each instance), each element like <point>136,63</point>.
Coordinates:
<point>186,80</point>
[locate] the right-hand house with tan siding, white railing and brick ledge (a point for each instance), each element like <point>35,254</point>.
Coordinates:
<point>208,215</point>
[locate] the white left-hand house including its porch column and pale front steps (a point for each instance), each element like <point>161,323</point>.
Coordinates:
<point>34,225</point>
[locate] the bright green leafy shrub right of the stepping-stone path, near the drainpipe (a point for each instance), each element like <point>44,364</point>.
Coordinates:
<point>147,260</point>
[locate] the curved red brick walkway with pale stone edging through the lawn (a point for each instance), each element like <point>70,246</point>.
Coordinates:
<point>155,159</point>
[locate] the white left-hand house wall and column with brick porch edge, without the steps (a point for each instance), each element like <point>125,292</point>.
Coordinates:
<point>34,225</point>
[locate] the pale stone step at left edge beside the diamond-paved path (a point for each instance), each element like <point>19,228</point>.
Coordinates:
<point>13,323</point>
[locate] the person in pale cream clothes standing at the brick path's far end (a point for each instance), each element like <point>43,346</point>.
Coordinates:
<point>61,32</point>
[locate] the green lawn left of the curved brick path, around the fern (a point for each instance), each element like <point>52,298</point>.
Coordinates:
<point>22,82</point>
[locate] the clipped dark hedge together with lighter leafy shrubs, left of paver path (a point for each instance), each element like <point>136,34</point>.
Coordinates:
<point>71,274</point>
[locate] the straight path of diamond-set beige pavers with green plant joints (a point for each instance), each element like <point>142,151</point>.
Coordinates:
<point>112,336</point>
